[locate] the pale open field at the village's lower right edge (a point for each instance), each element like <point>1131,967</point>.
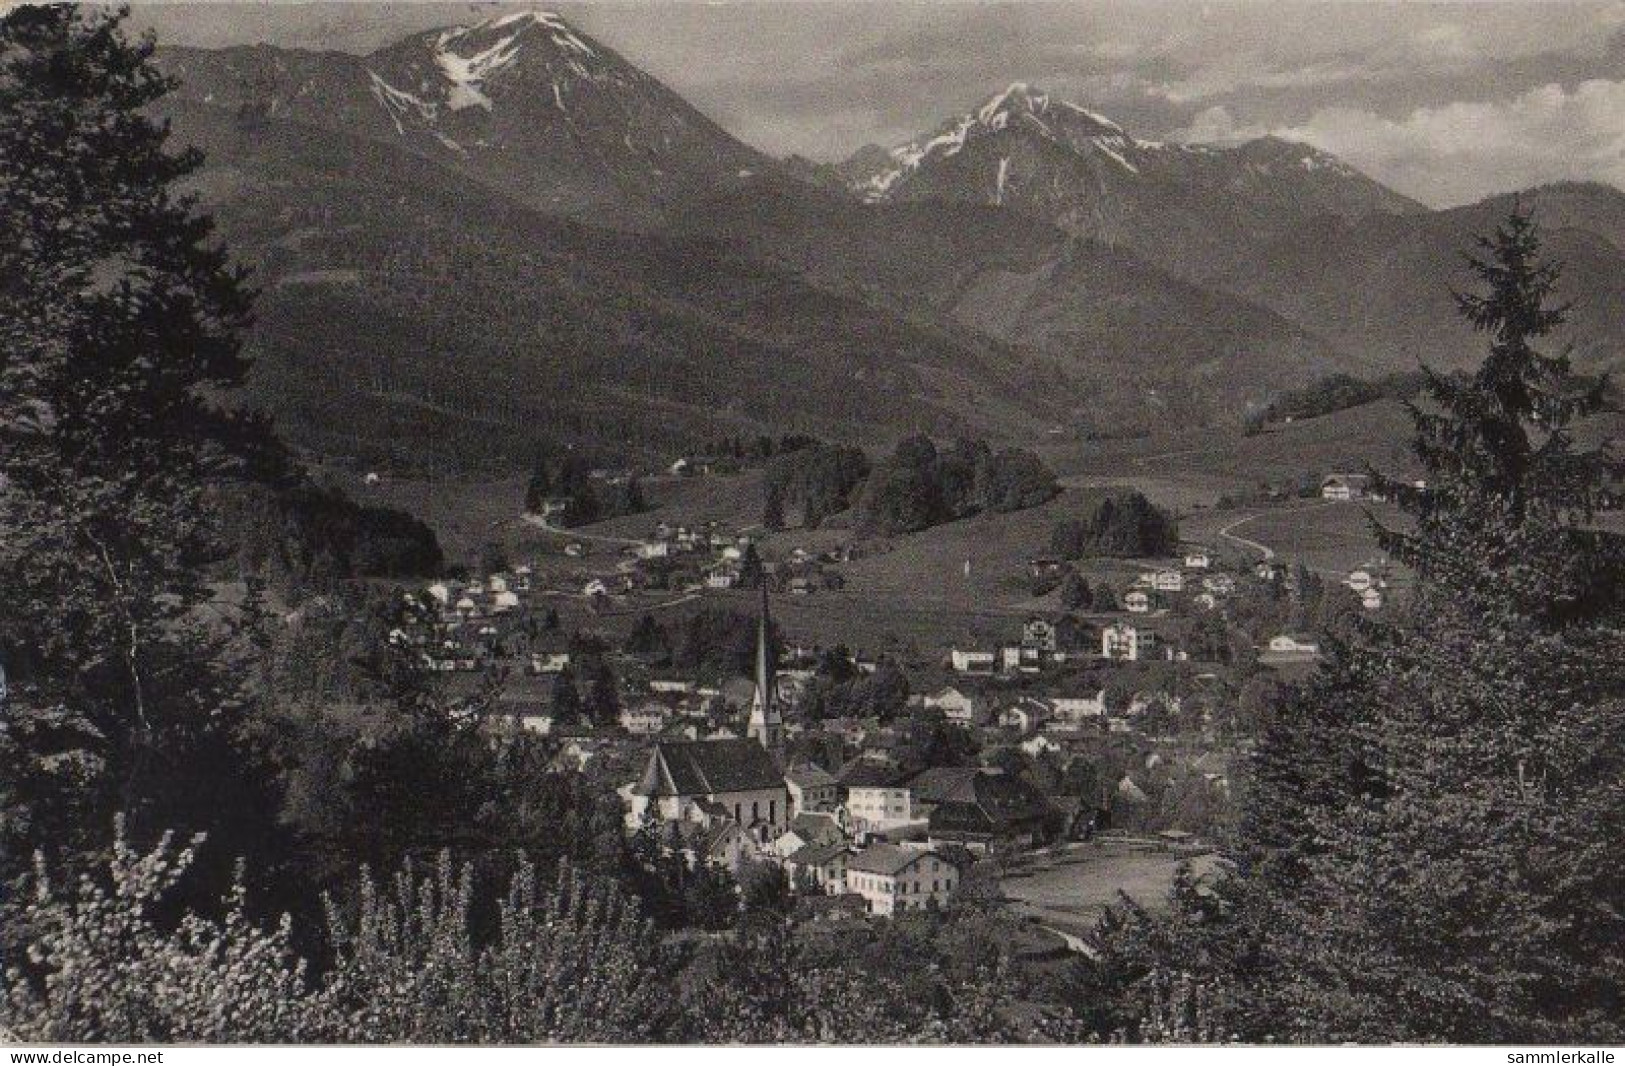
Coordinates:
<point>1073,891</point>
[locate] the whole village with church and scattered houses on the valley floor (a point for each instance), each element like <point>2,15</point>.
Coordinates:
<point>1094,734</point>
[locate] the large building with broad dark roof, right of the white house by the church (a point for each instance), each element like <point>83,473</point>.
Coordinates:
<point>982,808</point>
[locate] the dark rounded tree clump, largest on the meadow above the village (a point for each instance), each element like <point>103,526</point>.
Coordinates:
<point>921,487</point>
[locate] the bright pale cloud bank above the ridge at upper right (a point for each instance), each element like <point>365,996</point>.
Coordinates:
<point>1467,150</point>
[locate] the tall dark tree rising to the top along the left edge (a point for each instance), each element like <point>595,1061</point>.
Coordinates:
<point>119,323</point>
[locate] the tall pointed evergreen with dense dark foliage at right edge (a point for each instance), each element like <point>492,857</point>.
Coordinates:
<point>1426,844</point>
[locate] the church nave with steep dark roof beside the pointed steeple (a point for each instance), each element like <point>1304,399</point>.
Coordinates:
<point>739,776</point>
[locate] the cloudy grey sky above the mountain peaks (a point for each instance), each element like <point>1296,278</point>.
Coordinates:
<point>1442,102</point>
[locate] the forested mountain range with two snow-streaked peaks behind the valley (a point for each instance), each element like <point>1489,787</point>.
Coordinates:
<point>492,236</point>
